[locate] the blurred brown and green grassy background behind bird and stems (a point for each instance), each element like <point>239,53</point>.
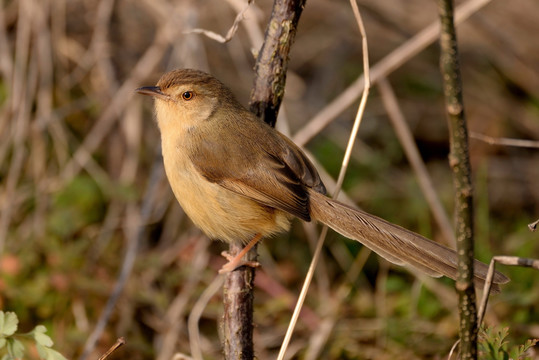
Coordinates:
<point>81,181</point>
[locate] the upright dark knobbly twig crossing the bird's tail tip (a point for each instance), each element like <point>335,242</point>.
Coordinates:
<point>460,163</point>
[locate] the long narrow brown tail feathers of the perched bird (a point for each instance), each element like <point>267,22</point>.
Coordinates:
<point>394,243</point>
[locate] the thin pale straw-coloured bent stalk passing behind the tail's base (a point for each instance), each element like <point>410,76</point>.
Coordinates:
<point>342,173</point>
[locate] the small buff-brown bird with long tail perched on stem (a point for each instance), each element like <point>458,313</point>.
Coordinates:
<point>240,180</point>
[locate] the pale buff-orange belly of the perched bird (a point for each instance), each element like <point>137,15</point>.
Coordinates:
<point>221,213</point>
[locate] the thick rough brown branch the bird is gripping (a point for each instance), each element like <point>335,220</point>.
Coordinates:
<point>266,97</point>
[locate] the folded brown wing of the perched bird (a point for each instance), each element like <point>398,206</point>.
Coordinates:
<point>257,162</point>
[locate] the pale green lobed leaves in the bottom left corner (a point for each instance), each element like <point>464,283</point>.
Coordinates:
<point>12,346</point>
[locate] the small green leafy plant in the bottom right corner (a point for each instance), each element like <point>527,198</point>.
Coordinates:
<point>493,345</point>
